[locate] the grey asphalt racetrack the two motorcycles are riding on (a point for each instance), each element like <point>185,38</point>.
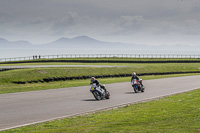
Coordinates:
<point>25,108</point>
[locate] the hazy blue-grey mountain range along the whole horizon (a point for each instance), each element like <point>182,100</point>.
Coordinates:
<point>84,42</point>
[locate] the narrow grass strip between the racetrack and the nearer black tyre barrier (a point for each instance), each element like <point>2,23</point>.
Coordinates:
<point>13,88</point>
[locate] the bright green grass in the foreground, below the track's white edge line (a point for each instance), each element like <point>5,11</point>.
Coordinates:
<point>178,113</point>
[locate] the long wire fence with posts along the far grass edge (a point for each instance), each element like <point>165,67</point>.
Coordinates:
<point>35,57</point>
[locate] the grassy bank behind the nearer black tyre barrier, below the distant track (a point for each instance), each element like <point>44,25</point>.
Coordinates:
<point>40,73</point>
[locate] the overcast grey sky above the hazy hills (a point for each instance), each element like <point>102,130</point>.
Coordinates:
<point>154,22</point>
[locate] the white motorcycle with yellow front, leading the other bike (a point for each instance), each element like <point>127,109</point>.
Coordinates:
<point>98,92</point>
